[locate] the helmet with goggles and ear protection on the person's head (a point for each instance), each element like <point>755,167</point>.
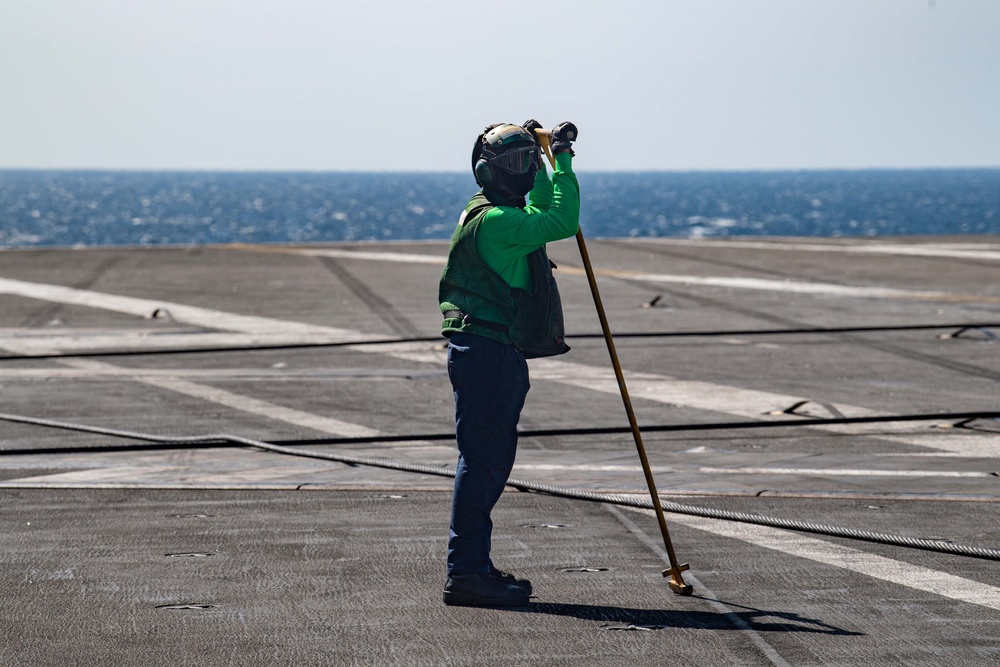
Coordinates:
<point>505,158</point>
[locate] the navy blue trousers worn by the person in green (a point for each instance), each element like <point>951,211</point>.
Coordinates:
<point>490,381</point>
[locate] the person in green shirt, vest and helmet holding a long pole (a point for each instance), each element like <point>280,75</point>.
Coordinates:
<point>500,306</point>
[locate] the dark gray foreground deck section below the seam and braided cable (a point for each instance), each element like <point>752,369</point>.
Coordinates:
<point>212,577</point>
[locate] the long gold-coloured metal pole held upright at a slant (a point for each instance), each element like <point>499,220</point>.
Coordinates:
<point>676,582</point>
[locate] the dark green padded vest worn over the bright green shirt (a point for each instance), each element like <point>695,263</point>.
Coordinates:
<point>476,299</point>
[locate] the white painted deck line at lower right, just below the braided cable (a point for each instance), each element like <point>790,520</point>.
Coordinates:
<point>871,565</point>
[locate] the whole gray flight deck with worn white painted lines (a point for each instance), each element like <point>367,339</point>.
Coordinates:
<point>119,552</point>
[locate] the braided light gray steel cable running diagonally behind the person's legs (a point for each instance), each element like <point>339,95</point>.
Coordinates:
<point>941,546</point>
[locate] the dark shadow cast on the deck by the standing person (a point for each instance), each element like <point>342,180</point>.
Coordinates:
<point>624,618</point>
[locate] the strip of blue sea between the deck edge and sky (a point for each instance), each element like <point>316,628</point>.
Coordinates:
<point>99,208</point>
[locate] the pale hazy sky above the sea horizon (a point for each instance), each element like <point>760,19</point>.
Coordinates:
<point>407,85</point>
